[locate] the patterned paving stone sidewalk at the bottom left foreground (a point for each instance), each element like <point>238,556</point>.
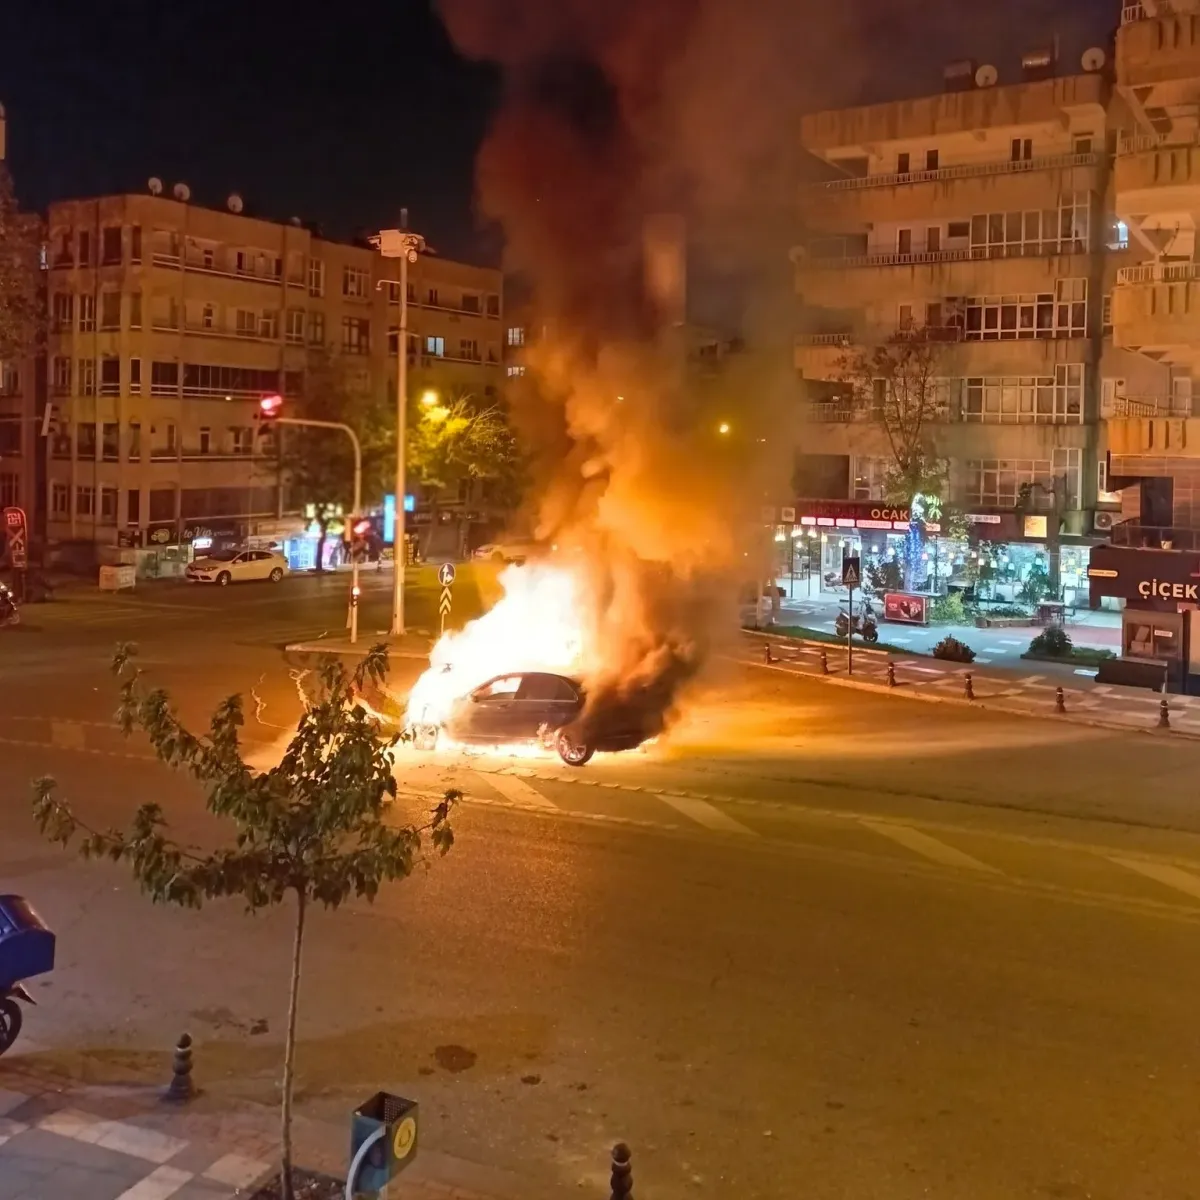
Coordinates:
<point>68,1142</point>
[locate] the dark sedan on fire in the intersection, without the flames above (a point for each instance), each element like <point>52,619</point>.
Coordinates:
<point>531,709</point>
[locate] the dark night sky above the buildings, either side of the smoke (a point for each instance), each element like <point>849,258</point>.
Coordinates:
<point>344,118</point>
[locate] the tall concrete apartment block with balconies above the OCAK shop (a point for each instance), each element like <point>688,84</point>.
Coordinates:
<point>1040,230</point>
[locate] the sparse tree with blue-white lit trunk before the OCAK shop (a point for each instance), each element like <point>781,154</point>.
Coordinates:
<point>898,386</point>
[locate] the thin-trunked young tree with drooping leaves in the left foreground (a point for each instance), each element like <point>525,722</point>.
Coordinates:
<point>315,827</point>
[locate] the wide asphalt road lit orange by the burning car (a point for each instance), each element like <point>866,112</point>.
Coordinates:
<point>820,943</point>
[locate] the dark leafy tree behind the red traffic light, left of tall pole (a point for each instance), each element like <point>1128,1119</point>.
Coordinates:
<point>319,465</point>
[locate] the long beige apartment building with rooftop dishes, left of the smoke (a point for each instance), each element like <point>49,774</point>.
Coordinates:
<point>169,325</point>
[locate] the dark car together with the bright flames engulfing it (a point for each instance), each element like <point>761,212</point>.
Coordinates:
<point>518,680</point>
